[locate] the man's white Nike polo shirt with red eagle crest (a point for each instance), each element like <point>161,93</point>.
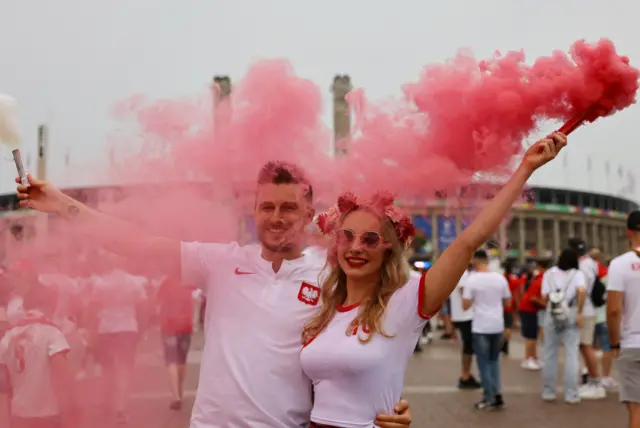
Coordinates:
<point>250,374</point>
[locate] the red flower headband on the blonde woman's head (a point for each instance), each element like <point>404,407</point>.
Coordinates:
<point>381,202</point>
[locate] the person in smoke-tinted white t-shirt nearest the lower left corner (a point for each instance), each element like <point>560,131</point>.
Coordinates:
<point>34,354</point>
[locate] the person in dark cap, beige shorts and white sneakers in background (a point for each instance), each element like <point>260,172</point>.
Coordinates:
<point>593,389</point>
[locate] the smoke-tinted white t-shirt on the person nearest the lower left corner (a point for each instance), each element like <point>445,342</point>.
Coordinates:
<point>26,350</point>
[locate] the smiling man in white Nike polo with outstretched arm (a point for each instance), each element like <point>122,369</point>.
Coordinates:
<point>258,300</point>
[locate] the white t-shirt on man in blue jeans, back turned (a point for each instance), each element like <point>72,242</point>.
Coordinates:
<point>487,291</point>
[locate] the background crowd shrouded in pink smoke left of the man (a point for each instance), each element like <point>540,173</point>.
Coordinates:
<point>88,326</point>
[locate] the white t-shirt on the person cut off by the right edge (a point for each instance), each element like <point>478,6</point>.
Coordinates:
<point>624,276</point>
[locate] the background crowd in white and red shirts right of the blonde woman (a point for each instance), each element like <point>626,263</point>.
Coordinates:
<point>555,304</point>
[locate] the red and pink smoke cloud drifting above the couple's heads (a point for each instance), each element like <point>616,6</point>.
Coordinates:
<point>459,118</point>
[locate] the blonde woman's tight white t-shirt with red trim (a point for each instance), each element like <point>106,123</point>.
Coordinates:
<point>354,381</point>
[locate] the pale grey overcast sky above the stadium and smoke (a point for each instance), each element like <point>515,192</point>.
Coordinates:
<point>68,61</point>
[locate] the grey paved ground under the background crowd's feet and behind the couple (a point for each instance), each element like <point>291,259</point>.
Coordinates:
<point>430,388</point>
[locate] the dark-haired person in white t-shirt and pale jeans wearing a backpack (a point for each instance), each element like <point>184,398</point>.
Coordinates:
<point>563,291</point>
